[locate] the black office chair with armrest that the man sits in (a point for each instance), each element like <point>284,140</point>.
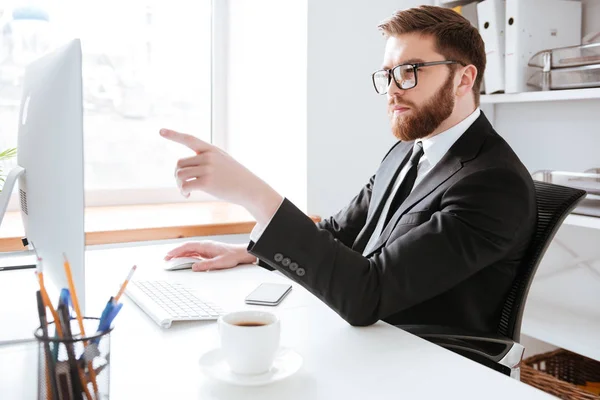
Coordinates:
<point>502,351</point>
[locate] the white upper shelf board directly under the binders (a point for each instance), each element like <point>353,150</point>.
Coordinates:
<point>553,95</point>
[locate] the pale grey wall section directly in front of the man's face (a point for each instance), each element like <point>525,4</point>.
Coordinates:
<point>348,129</point>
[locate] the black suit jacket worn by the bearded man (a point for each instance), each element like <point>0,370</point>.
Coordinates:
<point>448,255</point>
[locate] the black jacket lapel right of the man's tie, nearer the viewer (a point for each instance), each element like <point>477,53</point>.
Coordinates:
<point>465,149</point>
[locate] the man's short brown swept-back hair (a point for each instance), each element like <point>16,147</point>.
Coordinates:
<point>455,38</point>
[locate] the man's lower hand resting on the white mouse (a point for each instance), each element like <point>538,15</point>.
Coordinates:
<point>212,255</point>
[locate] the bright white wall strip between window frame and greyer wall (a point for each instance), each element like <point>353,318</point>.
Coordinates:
<point>266,101</point>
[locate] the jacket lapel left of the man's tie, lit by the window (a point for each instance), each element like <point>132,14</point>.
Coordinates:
<point>384,181</point>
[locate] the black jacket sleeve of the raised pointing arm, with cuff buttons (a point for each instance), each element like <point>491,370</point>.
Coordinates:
<point>475,226</point>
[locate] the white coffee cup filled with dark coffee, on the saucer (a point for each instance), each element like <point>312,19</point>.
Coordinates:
<point>249,340</point>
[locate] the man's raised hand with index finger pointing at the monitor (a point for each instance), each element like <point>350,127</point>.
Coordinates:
<point>215,172</point>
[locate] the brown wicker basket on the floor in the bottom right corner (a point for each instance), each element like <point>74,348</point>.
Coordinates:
<point>561,373</point>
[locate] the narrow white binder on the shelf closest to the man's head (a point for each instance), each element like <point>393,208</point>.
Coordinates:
<point>490,14</point>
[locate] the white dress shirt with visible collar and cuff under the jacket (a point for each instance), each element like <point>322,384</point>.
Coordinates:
<point>434,149</point>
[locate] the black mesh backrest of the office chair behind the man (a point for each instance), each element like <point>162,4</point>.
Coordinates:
<point>554,203</point>
